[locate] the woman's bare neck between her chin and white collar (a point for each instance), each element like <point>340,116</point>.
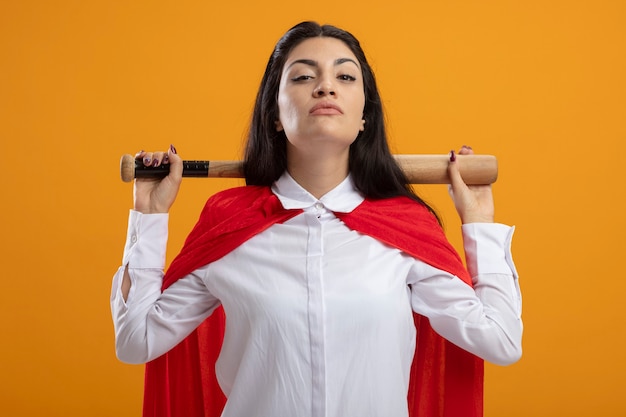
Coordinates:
<point>318,175</point>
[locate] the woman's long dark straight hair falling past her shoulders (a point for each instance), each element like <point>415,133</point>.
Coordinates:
<point>372,166</point>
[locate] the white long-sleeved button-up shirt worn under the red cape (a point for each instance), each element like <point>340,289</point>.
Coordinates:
<point>319,317</point>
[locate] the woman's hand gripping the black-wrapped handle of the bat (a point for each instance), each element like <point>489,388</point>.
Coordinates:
<point>156,195</point>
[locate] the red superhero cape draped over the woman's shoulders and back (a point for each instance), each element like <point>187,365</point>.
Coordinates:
<point>446,381</point>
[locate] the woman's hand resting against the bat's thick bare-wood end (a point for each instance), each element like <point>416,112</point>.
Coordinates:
<point>474,203</point>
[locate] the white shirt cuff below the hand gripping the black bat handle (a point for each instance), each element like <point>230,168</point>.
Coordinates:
<point>146,240</point>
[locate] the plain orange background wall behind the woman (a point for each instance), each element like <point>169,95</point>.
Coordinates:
<point>540,84</point>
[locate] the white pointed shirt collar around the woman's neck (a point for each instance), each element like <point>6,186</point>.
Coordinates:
<point>343,198</point>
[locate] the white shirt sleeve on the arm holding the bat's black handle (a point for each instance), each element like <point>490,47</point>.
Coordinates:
<point>151,322</point>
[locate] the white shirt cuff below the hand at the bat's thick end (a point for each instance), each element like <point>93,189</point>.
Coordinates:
<point>488,248</point>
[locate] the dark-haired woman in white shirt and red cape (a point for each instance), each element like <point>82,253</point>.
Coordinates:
<point>331,272</point>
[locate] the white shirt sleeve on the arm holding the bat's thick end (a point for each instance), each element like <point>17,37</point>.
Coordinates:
<point>484,320</point>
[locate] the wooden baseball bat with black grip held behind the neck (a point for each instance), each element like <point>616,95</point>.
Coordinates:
<point>419,169</point>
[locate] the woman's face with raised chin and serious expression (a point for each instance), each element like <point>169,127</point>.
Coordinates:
<point>320,97</point>
